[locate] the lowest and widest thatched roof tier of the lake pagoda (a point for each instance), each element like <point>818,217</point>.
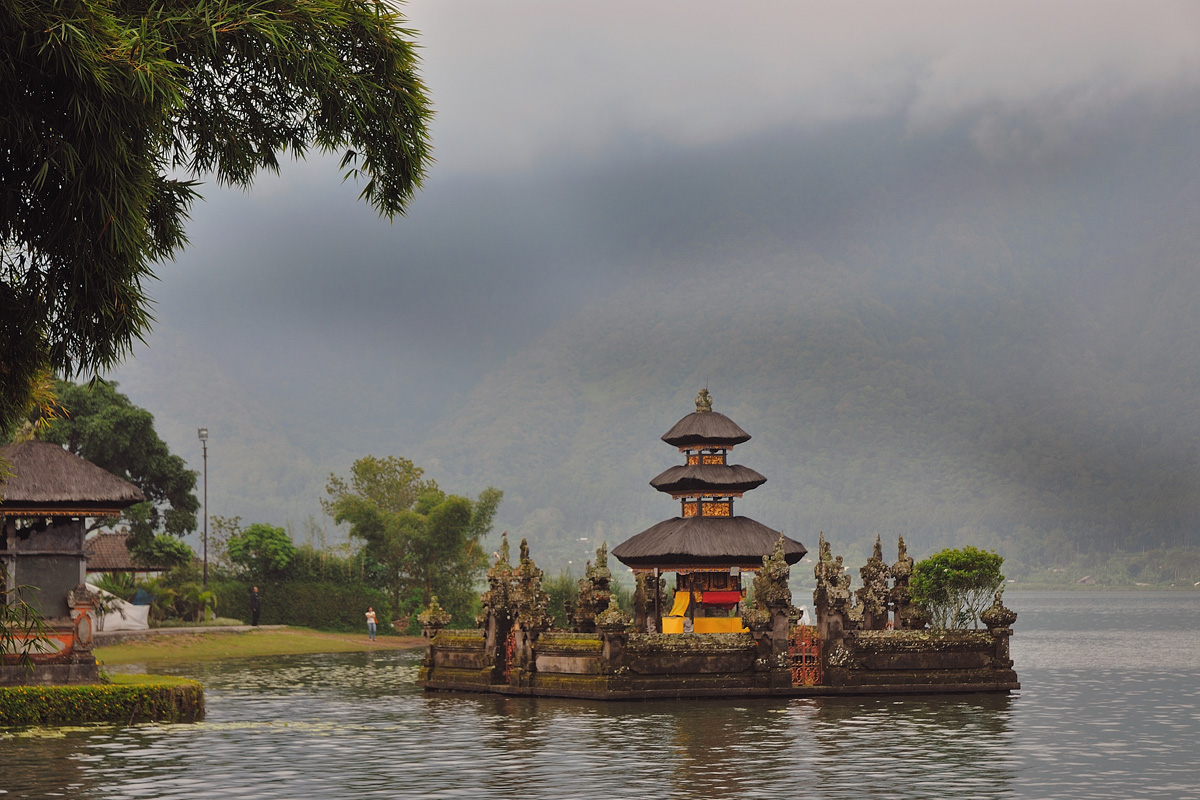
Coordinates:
<point>681,544</point>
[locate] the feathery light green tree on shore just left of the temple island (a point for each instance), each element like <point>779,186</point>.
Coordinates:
<point>427,543</point>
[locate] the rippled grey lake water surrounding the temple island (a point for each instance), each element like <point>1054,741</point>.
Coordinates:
<point>1109,708</point>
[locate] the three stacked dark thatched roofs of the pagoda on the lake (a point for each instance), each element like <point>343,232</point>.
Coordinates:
<point>707,534</point>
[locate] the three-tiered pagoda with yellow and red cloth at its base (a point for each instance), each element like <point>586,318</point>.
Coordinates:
<point>707,546</point>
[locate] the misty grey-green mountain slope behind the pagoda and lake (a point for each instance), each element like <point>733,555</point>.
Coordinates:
<point>1012,365</point>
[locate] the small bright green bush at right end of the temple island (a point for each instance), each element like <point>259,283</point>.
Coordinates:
<point>956,586</point>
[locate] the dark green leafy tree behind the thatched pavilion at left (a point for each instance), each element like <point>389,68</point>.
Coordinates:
<point>100,425</point>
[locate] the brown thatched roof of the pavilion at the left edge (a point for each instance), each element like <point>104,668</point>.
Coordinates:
<point>49,482</point>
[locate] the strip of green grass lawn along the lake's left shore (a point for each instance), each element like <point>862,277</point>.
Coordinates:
<point>291,641</point>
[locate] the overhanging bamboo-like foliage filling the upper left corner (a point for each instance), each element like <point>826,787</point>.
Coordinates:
<point>111,110</point>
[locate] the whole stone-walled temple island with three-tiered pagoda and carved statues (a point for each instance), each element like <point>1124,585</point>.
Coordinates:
<point>705,635</point>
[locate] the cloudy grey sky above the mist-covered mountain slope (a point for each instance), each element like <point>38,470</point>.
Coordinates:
<point>575,143</point>
